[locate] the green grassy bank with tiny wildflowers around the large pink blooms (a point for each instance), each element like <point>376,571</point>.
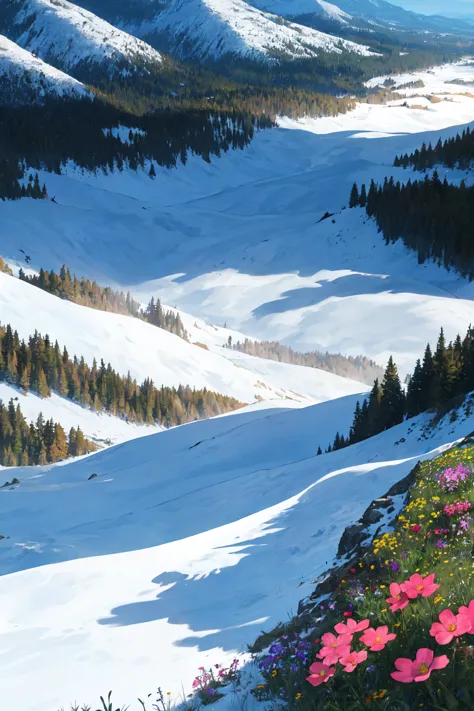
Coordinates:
<point>409,547</point>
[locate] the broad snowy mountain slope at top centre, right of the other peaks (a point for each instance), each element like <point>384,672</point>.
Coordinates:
<point>212,29</point>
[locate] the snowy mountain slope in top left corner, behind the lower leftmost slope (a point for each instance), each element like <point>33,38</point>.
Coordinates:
<point>71,37</point>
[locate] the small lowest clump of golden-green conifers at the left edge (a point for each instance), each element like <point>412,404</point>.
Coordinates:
<point>42,442</point>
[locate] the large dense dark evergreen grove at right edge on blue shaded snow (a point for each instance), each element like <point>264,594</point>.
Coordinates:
<point>433,218</point>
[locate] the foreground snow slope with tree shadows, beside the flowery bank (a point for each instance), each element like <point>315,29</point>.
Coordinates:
<point>182,550</point>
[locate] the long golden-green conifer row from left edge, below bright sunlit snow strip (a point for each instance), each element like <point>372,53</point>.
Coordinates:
<point>41,366</point>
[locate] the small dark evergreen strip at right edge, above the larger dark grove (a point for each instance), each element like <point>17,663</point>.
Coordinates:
<point>453,152</point>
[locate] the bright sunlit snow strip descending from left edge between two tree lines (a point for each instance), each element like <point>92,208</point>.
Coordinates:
<point>146,351</point>
